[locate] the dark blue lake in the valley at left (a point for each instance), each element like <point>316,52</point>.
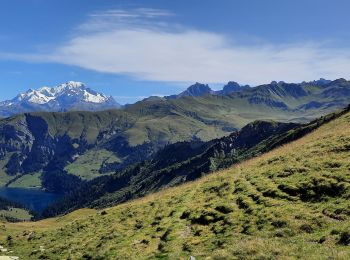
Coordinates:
<point>33,199</point>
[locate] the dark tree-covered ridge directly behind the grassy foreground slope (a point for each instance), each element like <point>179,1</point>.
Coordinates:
<point>173,165</point>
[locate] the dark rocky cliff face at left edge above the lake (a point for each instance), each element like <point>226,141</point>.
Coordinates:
<point>30,146</point>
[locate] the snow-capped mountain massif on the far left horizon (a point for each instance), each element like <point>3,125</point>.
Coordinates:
<point>68,96</point>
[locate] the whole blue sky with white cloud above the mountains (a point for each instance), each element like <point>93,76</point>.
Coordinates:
<point>134,49</point>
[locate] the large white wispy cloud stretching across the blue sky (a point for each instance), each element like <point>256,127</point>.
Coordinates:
<point>142,44</point>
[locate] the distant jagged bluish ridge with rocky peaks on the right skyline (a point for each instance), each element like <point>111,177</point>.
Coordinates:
<point>317,94</point>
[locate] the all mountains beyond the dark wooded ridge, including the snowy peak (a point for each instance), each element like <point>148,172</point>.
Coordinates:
<point>61,148</point>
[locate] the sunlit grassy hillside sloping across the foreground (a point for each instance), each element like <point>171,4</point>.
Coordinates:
<point>292,202</point>
